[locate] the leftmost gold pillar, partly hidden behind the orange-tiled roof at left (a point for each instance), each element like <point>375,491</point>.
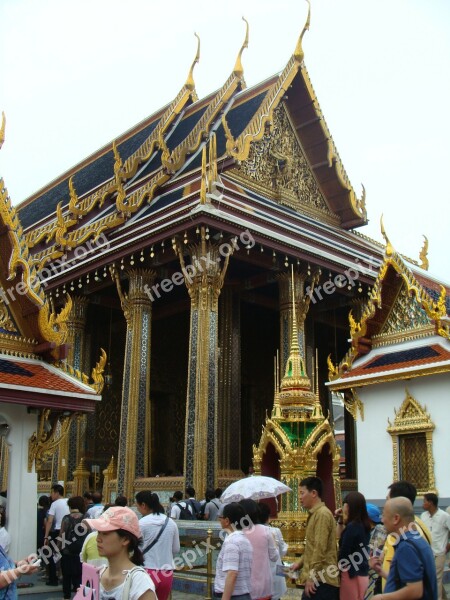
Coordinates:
<point>73,448</point>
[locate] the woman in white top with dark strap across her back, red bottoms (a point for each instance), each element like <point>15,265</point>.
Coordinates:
<point>161,542</point>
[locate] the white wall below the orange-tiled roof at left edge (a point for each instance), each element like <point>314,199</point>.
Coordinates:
<point>22,486</point>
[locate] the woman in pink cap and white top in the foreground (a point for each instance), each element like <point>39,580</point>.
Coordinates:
<point>118,540</point>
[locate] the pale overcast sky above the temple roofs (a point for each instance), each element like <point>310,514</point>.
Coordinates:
<point>74,74</point>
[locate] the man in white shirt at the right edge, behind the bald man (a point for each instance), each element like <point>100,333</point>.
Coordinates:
<point>438,522</point>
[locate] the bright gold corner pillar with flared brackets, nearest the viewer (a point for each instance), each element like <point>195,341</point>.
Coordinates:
<point>204,280</point>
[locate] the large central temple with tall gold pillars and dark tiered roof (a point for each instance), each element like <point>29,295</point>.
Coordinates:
<point>175,245</point>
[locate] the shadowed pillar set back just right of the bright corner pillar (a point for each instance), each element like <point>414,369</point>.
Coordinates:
<point>229,390</point>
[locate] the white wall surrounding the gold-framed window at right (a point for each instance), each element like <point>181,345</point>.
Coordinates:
<point>374,444</point>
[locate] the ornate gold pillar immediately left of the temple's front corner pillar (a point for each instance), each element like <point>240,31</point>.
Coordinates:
<point>134,441</point>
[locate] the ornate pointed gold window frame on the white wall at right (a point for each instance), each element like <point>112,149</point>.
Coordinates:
<point>412,418</point>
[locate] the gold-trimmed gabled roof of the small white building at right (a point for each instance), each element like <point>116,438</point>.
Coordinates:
<point>403,331</point>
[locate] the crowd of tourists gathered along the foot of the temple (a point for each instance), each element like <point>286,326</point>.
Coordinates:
<point>357,553</point>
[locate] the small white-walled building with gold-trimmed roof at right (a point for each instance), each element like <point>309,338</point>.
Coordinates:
<point>395,381</point>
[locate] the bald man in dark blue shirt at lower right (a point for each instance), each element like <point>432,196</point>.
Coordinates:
<point>413,572</point>
